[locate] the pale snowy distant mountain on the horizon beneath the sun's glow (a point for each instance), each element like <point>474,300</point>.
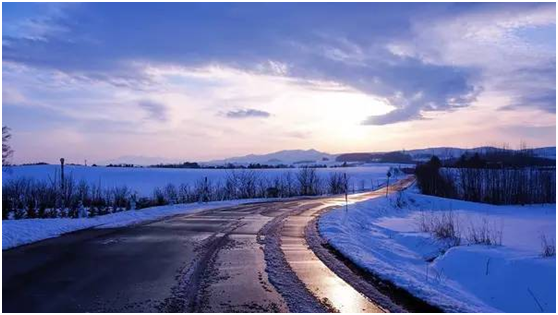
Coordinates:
<point>281,157</point>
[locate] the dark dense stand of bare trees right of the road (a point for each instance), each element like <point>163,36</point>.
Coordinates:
<point>508,181</point>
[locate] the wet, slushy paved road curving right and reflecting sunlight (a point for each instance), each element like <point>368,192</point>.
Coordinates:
<point>249,258</point>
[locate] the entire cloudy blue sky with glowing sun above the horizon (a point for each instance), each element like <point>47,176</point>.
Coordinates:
<point>187,81</point>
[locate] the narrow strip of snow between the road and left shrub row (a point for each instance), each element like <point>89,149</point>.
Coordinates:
<point>20,232</point>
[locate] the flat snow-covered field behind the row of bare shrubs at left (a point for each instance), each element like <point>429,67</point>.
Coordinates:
<point>144,180</point>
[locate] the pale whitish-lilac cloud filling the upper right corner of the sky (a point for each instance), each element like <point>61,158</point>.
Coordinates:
<point>506,47</point>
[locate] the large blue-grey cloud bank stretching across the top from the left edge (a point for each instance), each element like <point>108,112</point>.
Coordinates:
<point>302,44</point>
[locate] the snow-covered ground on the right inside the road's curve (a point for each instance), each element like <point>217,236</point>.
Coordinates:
<point>384,236</point>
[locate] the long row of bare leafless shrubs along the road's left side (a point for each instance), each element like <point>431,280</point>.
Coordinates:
<point>68,198</point>
